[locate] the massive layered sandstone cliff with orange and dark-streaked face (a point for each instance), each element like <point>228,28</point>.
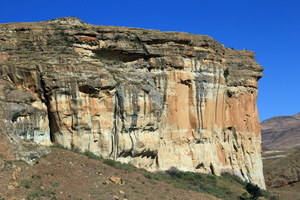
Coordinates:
<point>150,98</point>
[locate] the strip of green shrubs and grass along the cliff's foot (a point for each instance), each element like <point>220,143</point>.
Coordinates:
<point>226,187</point>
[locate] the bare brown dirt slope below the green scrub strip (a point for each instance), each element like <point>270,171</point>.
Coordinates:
<point>63,174</point>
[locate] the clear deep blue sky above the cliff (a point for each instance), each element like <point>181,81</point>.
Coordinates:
<point>270,28</point>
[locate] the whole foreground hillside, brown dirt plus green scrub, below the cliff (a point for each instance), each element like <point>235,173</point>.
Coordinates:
<point>64,174</point>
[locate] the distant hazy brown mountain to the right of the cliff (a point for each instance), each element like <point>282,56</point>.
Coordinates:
<point>281,133</point>
